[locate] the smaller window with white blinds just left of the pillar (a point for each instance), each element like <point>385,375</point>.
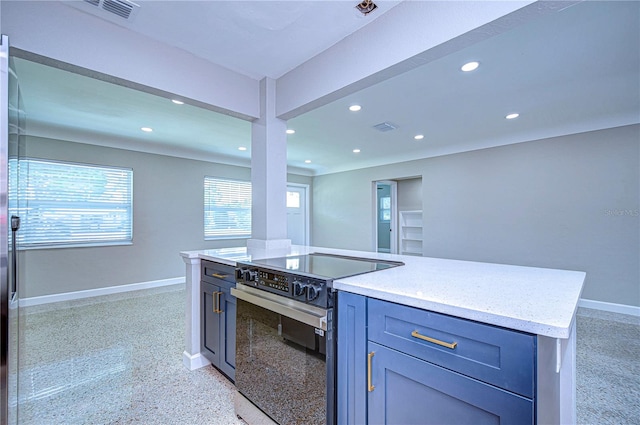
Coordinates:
<point>227,208</point>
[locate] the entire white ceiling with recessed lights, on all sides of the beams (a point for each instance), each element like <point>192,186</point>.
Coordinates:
<point>572,71</point>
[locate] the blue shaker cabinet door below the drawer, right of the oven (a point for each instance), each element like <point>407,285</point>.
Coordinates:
<point>408,391</point>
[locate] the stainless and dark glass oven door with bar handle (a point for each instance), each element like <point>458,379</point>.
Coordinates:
<point>285,357</point>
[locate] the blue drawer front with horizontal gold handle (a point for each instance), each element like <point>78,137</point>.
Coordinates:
<point>491,354</point>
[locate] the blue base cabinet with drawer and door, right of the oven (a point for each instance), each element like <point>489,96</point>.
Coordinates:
<point>462,373</point>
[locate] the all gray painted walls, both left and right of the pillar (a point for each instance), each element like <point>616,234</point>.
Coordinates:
<point>570,202</point>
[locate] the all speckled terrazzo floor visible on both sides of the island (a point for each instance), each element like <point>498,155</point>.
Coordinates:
<point>117,359</point>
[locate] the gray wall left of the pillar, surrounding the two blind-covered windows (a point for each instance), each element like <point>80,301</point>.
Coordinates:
<point>168,218</point>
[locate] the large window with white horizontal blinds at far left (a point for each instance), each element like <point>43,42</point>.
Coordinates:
<point>63,204</point>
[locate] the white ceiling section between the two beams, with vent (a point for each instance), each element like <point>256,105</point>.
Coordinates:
<point>256,38</point>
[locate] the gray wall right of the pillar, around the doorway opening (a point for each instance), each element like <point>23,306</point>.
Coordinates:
<point>569,202</point>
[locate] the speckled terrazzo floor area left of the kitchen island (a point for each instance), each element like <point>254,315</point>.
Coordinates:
<point>116,359</point>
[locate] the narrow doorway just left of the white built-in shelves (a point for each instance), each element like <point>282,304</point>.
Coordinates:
<point>385,209</point>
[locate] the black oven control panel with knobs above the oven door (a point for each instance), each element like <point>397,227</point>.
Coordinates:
<point>300,288</point>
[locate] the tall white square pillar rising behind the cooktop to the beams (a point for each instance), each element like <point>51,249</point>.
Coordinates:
<point>268,174</point>
